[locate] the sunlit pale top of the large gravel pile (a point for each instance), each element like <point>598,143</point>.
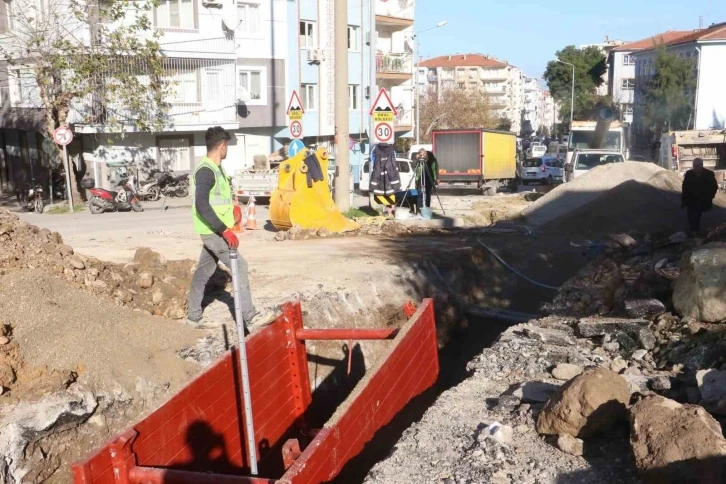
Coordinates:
<point>585,189</point>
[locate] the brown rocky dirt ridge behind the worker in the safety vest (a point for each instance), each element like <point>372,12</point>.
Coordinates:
<point>149,283</point>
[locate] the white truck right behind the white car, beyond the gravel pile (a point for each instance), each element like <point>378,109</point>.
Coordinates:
<point>584,135</point>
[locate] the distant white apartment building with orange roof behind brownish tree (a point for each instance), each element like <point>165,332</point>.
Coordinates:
<point>503,82</point>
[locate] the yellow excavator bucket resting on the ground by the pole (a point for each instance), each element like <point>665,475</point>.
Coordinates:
<point>303,198</point>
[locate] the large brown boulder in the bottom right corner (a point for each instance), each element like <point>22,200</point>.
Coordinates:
<point>675,443</point>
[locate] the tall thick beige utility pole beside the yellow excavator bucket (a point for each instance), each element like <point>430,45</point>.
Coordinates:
<point>342,160</point>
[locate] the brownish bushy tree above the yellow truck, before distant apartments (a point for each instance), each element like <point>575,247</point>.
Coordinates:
<point>457,109</point>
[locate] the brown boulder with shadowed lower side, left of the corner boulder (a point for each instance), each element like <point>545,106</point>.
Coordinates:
<point>586,405</point>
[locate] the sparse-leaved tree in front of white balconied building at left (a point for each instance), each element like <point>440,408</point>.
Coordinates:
<point>99,60</point>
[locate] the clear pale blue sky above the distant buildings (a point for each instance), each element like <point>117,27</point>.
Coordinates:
<point>527,33</point>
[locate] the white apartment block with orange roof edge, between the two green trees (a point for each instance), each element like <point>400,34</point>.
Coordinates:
<point>621,70</point>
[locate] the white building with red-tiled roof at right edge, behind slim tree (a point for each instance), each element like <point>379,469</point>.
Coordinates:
<point>706,48</point>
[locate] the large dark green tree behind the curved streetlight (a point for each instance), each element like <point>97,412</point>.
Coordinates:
<point>590,66</point>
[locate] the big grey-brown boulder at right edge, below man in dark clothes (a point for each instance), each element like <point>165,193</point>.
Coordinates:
<point>700,290</point>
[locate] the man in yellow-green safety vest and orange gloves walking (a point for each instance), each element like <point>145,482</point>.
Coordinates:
<point>214,213</point>
